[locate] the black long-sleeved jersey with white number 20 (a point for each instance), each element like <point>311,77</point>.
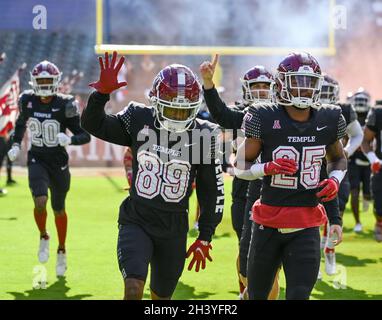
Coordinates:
<point>45,121</point>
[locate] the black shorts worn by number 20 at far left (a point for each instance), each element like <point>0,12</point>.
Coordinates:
<point>50,174</point>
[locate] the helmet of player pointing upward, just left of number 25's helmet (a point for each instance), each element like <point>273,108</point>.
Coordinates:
<point>257,74</point>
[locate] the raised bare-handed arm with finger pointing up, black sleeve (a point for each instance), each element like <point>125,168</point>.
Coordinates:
<point>224,116</point>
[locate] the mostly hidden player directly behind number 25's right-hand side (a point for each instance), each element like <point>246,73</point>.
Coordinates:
<point>330,95</point>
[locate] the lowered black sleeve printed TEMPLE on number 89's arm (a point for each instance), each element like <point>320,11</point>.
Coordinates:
<point>210,193</point>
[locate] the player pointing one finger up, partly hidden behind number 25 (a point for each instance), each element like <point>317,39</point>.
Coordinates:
<point>256,86</point>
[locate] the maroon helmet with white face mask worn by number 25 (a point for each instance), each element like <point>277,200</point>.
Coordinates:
<point>298,81</point>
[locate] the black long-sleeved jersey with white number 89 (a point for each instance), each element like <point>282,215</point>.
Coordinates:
<point>164,164</point>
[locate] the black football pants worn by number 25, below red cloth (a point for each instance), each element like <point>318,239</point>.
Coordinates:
<point>299,254</point>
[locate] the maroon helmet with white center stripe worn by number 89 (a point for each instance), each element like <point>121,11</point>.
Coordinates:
<point>176,95</point>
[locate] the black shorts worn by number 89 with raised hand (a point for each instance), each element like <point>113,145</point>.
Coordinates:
<point>138,249</point>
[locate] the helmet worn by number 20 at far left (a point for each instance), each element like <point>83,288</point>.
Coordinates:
<point>45,79</point>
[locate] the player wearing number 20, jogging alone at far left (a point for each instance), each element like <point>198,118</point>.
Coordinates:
<point>48,114</point>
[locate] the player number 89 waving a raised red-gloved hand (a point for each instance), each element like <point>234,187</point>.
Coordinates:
<point>153,220</point>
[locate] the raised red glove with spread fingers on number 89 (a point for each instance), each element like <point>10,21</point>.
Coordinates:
<point>108,79</point>
